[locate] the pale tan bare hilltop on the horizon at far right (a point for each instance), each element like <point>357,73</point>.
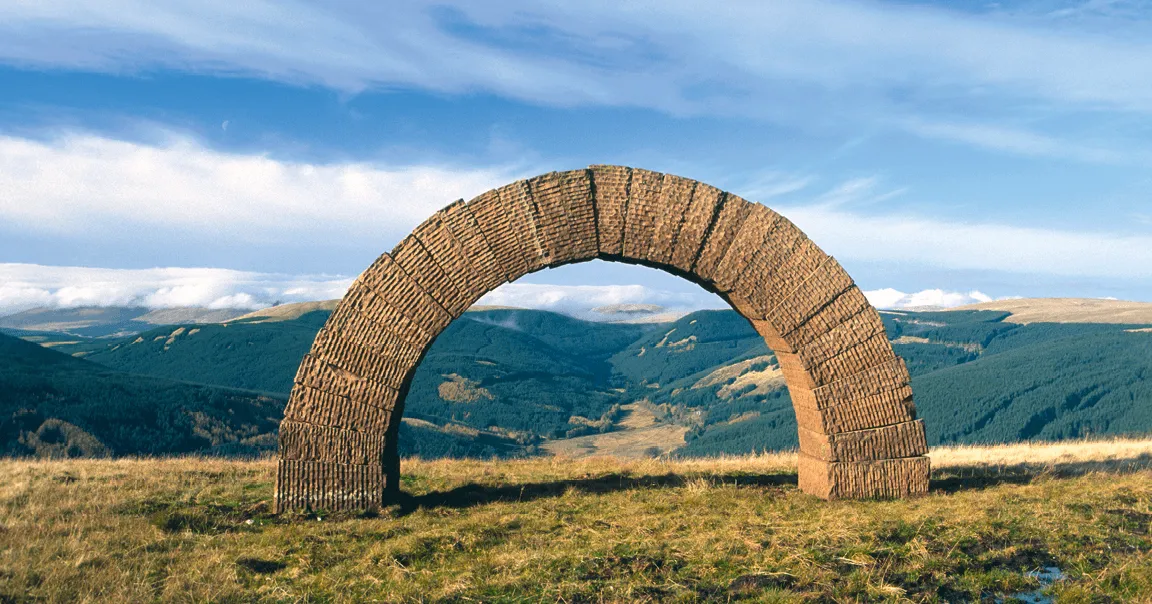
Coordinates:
<point>1070,311</point>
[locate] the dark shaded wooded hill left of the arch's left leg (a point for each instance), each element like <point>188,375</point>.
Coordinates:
<point>54,405</point>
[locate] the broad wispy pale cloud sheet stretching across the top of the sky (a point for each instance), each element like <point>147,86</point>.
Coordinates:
<point>674,56</point>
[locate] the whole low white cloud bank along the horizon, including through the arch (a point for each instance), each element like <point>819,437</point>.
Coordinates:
<point>24,288</point>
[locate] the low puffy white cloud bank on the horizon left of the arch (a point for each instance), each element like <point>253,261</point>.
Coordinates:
<point>31,286</point>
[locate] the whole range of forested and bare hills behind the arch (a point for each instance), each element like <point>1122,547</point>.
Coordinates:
<point>516,382</point>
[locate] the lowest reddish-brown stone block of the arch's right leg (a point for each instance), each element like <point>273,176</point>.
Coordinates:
<point>865,480</point>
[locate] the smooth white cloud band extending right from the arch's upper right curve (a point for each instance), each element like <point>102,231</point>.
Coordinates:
<point>974,246</point>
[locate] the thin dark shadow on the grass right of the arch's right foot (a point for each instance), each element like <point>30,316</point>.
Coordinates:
<point>962,479</point>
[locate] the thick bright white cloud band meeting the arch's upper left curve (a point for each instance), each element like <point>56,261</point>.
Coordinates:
<point>84,183</point>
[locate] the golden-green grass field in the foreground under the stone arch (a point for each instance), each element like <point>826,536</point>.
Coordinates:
<point>585,531</point>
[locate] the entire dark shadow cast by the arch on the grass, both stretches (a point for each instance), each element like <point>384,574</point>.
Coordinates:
<point>945,480</point>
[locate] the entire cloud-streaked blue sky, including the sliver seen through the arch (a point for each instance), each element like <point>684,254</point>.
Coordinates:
<point>237,154</point>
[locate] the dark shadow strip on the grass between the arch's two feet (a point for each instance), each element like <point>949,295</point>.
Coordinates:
<point>475,495</point>
